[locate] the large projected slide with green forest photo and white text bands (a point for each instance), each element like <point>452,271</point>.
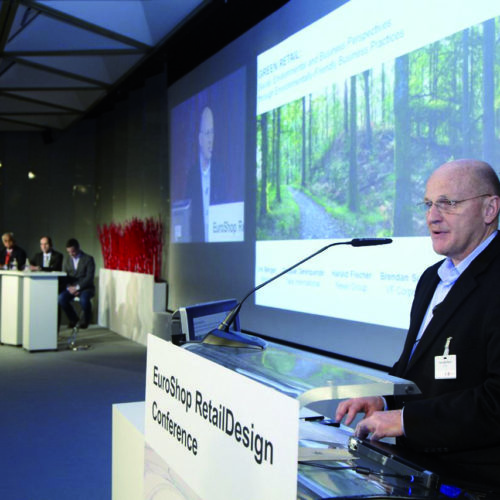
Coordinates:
<point>353,114</point>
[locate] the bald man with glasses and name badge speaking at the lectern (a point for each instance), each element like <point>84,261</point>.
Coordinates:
<point>452,350</point>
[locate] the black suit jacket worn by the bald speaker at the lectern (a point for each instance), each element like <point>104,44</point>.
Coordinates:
<point>457,420</point>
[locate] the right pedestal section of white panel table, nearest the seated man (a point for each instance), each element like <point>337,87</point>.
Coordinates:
<point>40,290</point>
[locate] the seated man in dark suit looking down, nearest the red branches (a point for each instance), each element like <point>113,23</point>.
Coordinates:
<point>80,270</point>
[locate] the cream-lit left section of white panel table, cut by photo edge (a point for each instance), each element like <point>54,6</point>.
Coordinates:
<point>11,326</point>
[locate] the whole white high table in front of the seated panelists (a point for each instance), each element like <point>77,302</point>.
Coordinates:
<point>28,309</point>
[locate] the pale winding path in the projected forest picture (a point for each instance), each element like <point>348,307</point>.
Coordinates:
<point>315,221</point>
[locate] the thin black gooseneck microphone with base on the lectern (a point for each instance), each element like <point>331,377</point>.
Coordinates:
<point>222,335</point>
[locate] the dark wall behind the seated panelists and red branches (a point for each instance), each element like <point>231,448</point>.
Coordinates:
<point>100,170</point>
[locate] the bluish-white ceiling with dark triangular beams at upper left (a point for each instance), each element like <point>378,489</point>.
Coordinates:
<point>59,58</point>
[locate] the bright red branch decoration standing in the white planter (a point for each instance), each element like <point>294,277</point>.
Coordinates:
<point>135,245</point>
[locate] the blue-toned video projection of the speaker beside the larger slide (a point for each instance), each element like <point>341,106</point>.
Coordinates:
<point>207,156</point>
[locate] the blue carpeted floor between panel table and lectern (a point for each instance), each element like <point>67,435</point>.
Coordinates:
<point>55,415</point>
